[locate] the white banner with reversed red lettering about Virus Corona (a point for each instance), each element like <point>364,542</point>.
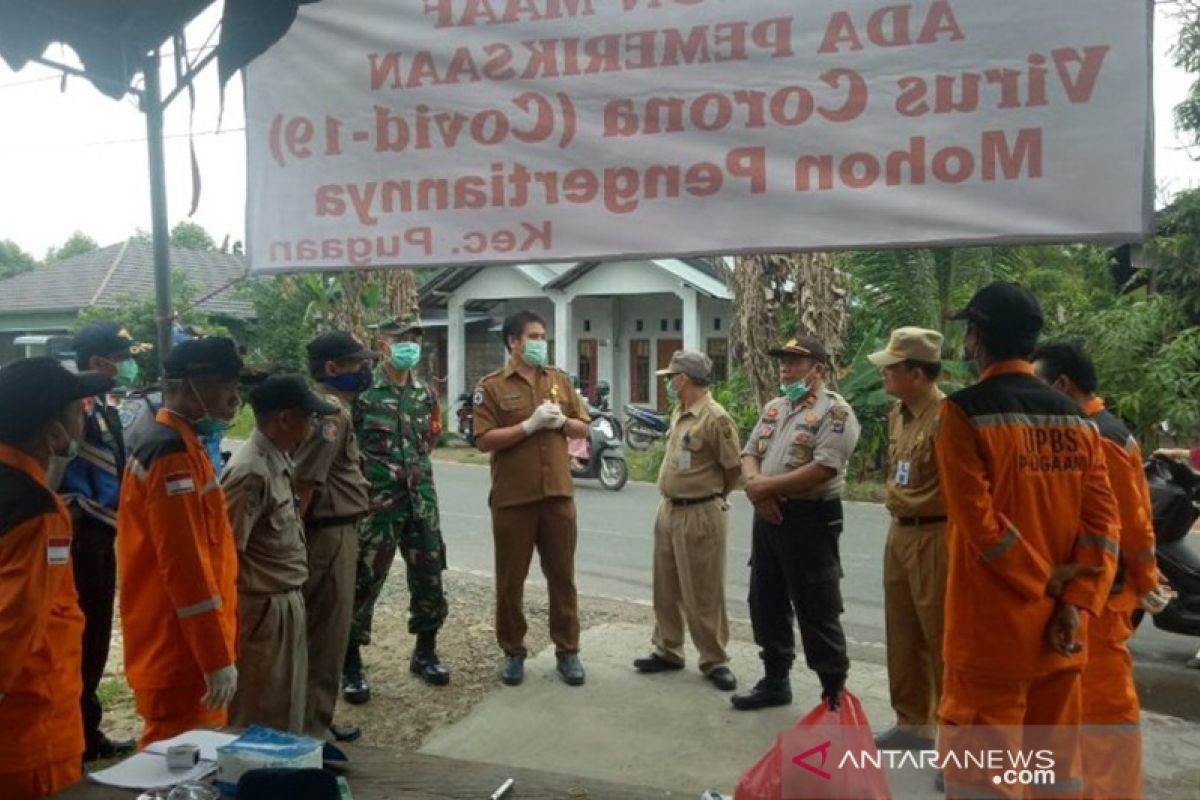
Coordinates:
<point>422,133</point>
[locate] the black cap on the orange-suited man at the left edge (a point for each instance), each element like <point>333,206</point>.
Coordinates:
<point>35,392</point>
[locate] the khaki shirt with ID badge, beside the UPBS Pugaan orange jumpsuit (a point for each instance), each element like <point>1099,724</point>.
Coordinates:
<point>914,485</point>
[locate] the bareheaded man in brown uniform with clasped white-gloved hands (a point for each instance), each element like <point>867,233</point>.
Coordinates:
<point>524,416</point>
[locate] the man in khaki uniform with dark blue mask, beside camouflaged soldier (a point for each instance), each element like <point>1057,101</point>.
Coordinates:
<point>334,498</point>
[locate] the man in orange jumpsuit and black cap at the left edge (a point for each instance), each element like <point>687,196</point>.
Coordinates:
<point>41,625</point>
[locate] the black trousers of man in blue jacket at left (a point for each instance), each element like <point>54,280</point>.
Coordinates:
<point>94,558</point>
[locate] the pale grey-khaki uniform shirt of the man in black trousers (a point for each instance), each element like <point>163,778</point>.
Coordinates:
<point>821,429</point>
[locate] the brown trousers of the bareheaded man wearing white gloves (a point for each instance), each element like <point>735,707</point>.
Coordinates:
<point>549,527</point>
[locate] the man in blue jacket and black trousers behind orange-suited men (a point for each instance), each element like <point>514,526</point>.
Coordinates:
<point>92,489</point>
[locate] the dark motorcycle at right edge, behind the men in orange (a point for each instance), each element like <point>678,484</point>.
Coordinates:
<point>1175,497</point>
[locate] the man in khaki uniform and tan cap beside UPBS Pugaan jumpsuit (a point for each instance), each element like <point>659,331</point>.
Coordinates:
<point>915,556</point>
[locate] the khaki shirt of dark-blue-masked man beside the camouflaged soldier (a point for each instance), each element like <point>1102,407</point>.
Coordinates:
<point>333,462</point>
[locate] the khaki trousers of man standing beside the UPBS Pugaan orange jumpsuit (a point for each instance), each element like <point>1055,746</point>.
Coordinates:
<point>914,603</point>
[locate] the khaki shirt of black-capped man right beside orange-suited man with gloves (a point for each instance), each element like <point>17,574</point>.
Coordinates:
<point>272,554</point>
